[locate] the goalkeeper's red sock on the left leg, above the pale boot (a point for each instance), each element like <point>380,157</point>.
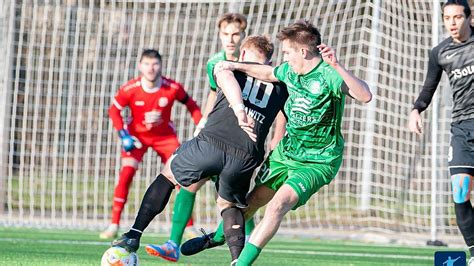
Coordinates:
<point>121,192</point>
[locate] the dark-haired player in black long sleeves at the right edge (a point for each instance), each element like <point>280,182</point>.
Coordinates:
<point>455,56</point>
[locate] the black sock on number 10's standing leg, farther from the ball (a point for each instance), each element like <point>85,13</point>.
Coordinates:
<point>234,230</point>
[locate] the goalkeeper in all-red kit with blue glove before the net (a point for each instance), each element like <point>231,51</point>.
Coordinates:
<point>150,98</point>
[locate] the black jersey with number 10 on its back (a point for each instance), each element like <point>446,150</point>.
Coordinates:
<point>262,102</point>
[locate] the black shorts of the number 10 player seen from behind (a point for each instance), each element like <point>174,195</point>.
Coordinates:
<point>197,159</point>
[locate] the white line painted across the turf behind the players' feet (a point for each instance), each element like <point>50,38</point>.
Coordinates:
<point>266,250</point>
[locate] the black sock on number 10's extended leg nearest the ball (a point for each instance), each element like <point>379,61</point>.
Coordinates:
<point>155,199</point>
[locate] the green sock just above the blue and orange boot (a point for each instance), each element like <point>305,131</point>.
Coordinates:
<point>182,211</point>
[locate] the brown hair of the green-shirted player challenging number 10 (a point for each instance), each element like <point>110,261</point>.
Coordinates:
<point>302,32</point>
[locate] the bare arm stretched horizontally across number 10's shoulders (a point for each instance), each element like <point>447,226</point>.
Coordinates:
<point>261,72</point>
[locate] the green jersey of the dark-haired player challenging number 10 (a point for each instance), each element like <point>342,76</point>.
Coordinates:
<point>314,108</point>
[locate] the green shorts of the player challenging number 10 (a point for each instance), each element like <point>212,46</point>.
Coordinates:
<point>305,178</point>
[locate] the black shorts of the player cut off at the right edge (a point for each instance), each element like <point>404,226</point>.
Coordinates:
<point>461,150</point>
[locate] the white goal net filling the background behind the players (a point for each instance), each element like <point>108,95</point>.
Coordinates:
<point>63,60</point>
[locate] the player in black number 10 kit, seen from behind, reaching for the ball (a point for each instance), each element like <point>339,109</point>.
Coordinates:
<point>230,146</point>
